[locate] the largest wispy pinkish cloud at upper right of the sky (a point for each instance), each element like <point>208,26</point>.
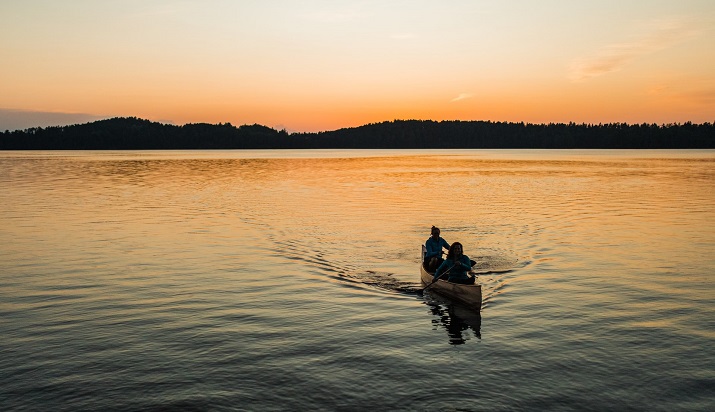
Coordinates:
<point>614,57</point>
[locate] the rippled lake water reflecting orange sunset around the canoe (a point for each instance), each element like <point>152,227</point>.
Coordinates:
<point>288,280</point>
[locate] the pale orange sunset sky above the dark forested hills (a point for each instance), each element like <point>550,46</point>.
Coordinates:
<point>318,65</point>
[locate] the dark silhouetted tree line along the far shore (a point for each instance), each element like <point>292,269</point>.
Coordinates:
<point>131,133</point>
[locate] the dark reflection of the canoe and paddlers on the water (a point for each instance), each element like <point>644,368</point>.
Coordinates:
<point>457,321</point>
